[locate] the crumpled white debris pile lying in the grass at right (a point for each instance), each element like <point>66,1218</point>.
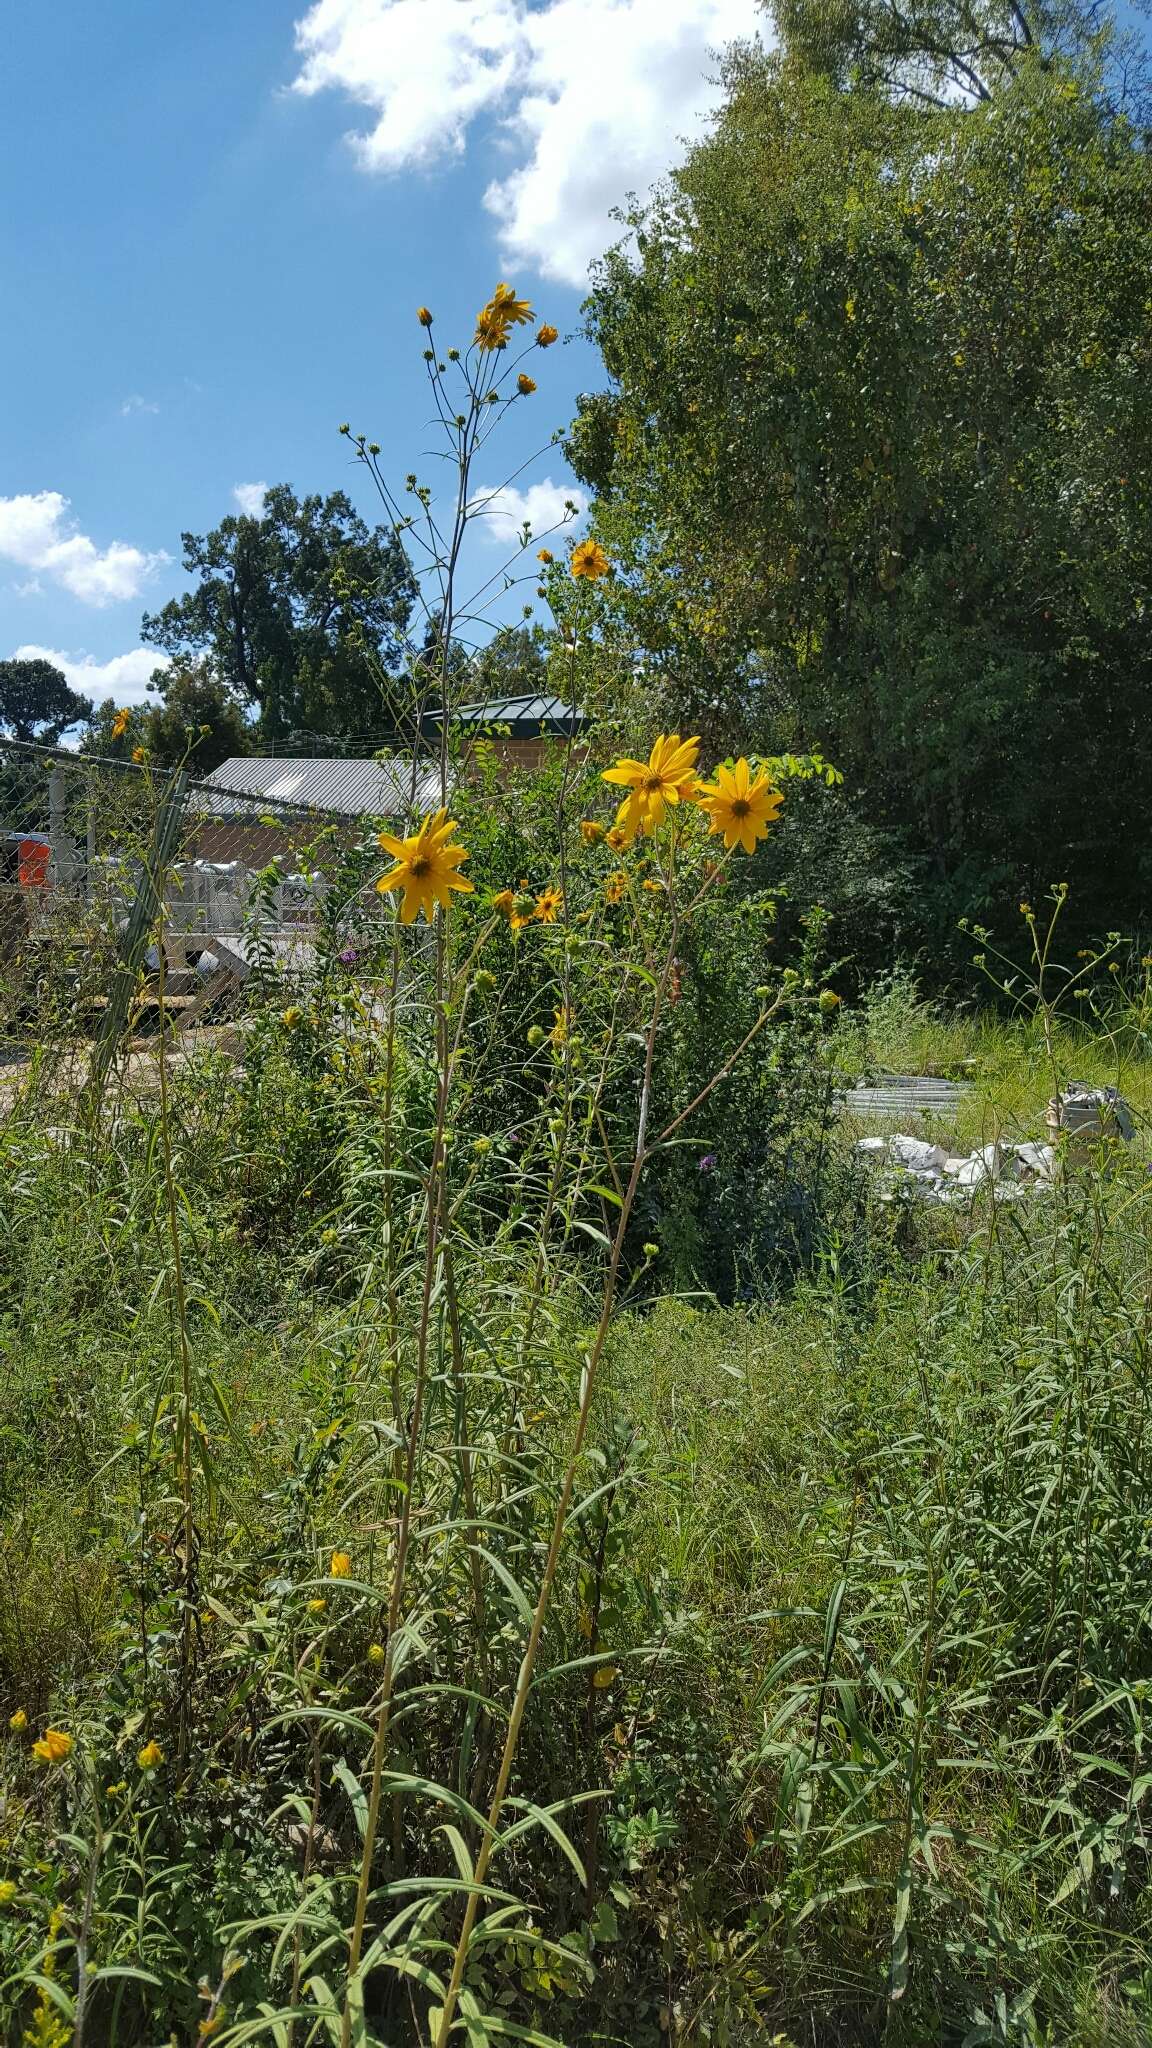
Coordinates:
<point>915,1170</point>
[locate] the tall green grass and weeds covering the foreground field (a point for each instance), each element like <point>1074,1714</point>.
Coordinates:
<point>850,1641</point>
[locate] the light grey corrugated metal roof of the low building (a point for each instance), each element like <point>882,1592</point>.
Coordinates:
<point>352,787</point>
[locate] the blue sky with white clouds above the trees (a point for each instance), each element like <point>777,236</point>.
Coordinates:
<point>220,224</point>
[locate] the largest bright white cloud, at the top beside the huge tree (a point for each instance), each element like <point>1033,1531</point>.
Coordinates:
<point>595,99</point>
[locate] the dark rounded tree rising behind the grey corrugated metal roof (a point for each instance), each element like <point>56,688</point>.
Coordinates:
<point>300,611</point>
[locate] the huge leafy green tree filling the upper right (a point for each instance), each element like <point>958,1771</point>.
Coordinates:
<point>876,462</point>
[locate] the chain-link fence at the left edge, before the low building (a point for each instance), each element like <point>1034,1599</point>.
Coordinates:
<point>134,902</point>
